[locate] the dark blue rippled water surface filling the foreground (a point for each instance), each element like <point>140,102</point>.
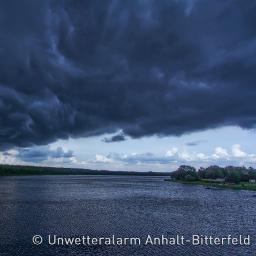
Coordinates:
<point>125,206</point>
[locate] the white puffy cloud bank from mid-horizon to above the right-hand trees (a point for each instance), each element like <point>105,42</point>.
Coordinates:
<point>220,156</point>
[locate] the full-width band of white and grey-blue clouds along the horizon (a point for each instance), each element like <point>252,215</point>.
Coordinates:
<point>170,160</point>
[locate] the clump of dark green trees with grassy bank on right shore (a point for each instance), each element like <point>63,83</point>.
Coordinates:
<point>215,177</point>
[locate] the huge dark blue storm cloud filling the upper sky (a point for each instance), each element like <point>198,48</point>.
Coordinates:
<point>82,68</point>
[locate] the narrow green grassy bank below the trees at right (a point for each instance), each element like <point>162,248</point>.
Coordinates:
<point>240,186</point>
